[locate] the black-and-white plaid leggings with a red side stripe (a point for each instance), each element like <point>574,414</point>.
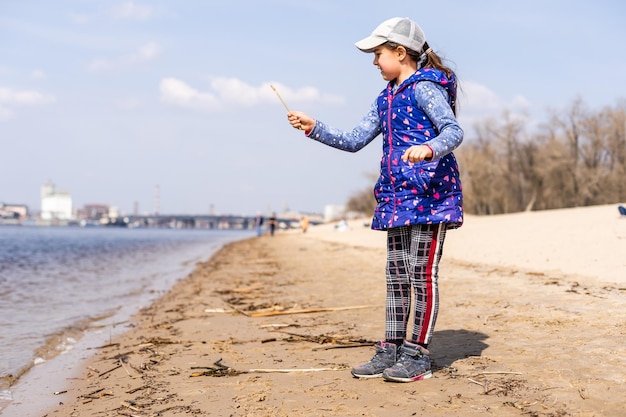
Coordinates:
<point>413,254</point>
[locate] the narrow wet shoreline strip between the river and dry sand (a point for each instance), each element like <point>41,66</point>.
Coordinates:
<point>57,359</point>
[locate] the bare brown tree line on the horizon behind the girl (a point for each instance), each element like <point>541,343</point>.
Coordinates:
<point>577,158</point>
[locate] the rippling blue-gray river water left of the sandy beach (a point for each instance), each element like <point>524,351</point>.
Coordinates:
<point>59,283</point>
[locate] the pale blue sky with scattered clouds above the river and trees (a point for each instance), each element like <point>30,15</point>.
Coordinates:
<point>109,99</point>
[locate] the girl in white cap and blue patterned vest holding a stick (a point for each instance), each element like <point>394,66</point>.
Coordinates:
<point>418,192</point>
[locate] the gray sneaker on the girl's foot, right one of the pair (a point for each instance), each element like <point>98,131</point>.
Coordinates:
<point>412,365</point>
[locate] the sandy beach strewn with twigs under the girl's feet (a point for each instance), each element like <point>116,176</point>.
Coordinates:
<point>532,323</point>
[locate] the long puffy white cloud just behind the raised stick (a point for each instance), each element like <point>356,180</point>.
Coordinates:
<point>232,92</point>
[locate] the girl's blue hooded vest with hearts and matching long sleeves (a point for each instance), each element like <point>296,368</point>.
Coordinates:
<point>414,113</point>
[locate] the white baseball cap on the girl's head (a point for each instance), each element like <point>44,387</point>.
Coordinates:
<point>400,30</point>
